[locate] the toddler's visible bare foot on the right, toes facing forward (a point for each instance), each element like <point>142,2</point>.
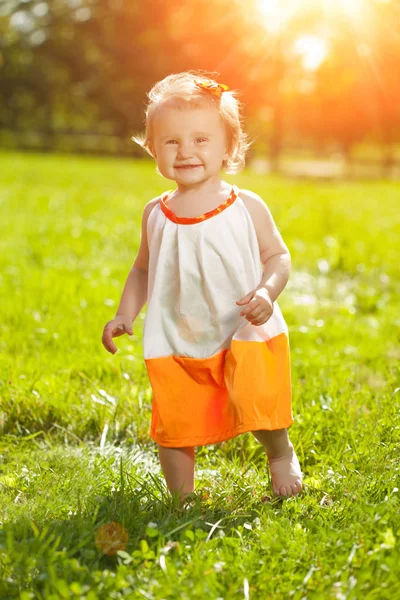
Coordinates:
<point>286,474</point>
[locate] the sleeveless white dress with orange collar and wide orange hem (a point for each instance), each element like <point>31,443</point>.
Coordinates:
<point>213,374</point>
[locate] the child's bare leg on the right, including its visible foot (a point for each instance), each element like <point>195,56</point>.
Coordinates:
<point>283,463</point>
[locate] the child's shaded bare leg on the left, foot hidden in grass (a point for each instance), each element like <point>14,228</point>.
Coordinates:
<point>178,467</point>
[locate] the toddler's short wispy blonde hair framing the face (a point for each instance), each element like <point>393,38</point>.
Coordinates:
<point>182,87</point>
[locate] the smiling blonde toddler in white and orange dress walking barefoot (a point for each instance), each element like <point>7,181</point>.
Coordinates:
<point>211,265</point>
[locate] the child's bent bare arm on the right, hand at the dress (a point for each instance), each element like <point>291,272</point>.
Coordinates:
<point>274,255</point>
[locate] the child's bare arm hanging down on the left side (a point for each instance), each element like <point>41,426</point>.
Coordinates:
<point>134,294</point>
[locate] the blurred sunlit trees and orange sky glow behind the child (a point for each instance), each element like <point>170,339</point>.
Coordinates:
<point>318,78</point>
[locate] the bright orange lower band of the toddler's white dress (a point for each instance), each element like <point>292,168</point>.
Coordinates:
<point>200,401</point>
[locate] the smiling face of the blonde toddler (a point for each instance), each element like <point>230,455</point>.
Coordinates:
<point>189,145</point>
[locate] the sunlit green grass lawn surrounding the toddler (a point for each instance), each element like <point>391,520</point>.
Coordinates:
<point>74,448</point>
